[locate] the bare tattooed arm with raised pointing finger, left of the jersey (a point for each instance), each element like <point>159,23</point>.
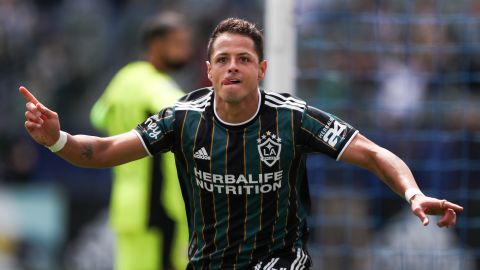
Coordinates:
<point>43,125</point>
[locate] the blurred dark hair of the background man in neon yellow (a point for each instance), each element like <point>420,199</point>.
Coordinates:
<point>161,24</point>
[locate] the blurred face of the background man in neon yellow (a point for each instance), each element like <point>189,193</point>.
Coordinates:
<point>176,49</point>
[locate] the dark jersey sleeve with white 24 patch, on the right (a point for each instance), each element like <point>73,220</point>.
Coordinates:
<point>325,133</point>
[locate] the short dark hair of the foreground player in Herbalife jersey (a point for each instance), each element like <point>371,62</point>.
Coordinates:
<point>241,27</point>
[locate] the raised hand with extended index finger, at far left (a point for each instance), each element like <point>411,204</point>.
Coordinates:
<point>41,123</point>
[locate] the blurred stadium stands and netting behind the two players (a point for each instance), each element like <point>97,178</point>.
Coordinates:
<point>405,73</point>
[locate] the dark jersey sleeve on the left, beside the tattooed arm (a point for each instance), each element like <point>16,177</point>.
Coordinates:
<point>157,132</point>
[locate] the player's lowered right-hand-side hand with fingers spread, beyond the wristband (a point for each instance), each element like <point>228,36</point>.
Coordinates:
<point>423,206</point>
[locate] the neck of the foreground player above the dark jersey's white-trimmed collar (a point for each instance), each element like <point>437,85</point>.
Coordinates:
<point>238,112</point>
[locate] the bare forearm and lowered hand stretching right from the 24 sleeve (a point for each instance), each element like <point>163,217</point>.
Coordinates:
<point>396,174</point>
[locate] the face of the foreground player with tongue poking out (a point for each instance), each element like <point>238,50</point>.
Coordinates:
<point>234,68</point>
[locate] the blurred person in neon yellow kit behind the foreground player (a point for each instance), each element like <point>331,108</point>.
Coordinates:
<point>147,212</point>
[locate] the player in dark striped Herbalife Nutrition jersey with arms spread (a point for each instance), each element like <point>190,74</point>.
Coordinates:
<point>240,155</point>
